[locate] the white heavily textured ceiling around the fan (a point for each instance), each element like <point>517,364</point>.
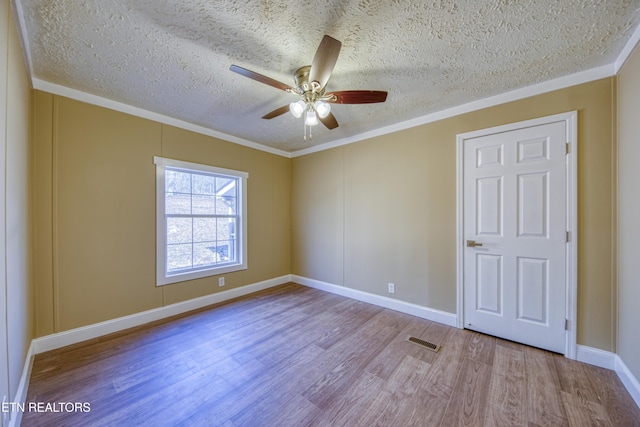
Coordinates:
<point>173,57</point>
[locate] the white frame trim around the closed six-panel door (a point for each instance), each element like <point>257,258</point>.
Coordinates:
<point>571,274</point>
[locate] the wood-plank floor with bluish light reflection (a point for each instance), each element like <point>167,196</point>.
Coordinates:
<point>295,356</point>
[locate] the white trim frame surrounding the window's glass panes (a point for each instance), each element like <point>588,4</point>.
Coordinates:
<point>162,277</point>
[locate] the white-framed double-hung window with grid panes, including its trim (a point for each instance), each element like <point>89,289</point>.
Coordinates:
<point>201,221</point>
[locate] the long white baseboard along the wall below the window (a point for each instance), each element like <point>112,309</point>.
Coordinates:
<point>72,336</point>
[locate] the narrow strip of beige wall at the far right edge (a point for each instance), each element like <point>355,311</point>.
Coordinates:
<point>629,212</point>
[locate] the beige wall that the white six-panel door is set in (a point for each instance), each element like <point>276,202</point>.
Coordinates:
<point>384,210</point>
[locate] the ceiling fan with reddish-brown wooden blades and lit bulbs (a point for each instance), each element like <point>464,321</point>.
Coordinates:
<point>310,84</point>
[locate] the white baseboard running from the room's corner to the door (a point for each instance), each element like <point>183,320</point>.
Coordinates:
<point>390,303</point>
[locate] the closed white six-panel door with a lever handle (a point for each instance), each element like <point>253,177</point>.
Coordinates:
<point>515,233</point>
